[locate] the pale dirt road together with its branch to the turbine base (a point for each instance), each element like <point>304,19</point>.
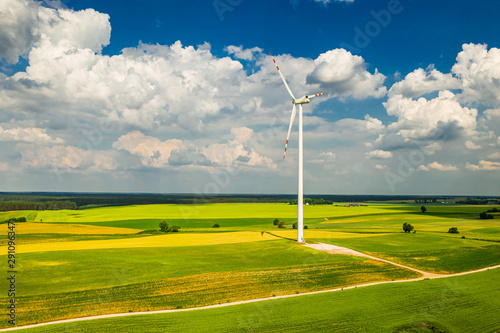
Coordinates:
<point>328,248</point>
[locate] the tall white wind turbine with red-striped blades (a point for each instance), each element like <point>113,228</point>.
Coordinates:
<point>300,197</point>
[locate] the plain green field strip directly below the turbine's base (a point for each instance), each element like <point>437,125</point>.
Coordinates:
<point>83,270</point>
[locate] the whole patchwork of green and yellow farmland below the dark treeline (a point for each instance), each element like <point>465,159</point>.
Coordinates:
<point>74,263</point>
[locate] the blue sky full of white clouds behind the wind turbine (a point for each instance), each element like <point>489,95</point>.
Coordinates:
<point>179,96</point>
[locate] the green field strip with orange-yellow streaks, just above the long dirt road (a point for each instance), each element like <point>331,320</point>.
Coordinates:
<point>205,289</point>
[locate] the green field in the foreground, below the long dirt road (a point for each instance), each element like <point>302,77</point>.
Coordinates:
<point>459,304</point>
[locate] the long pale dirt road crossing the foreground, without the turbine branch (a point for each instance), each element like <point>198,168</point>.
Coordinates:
<point>125,314</point>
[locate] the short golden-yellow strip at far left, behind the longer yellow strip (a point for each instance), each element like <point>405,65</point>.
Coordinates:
<point>74,229</point>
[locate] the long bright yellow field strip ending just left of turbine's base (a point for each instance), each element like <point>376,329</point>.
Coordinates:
<point>170,240</point>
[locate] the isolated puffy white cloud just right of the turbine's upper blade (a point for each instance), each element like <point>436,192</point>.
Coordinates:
<point>342,74</point>
